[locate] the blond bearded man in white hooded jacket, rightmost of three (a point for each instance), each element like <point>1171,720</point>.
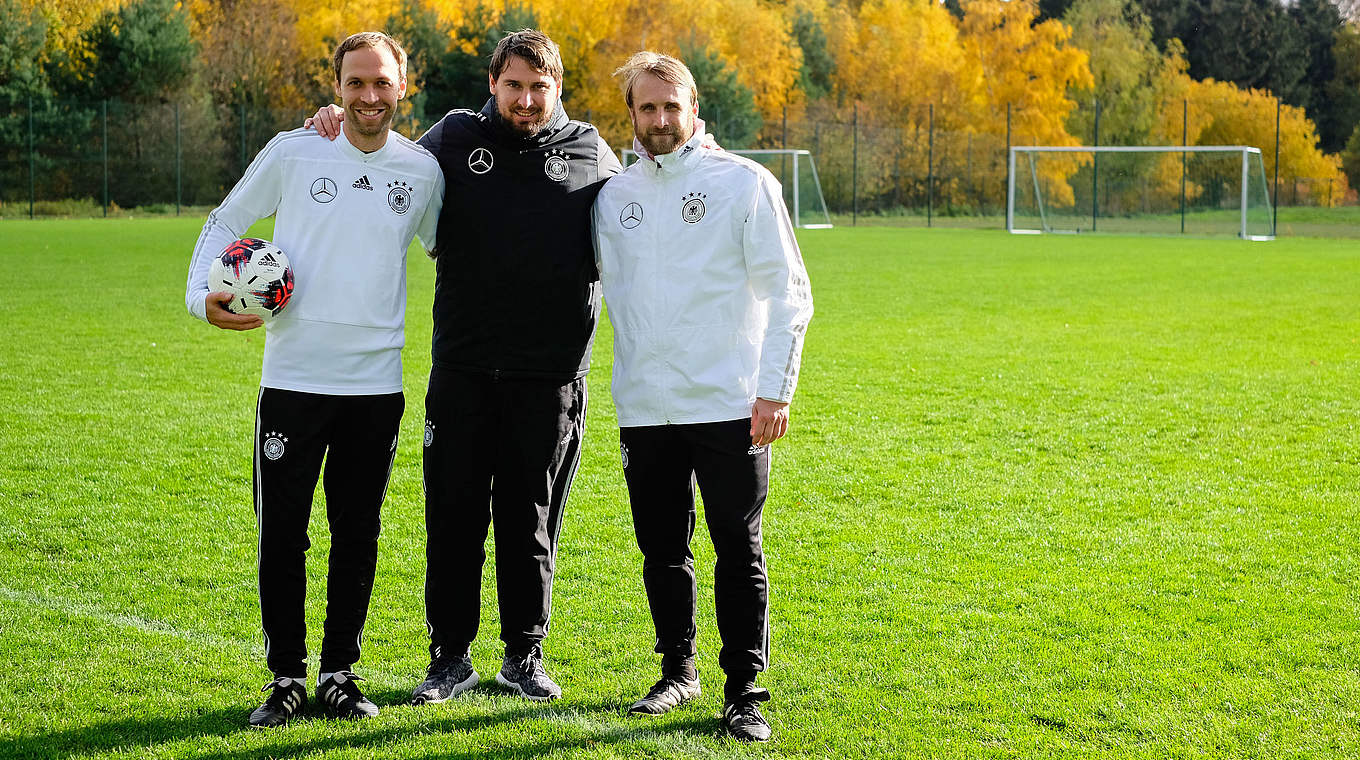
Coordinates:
<point>709,303</point>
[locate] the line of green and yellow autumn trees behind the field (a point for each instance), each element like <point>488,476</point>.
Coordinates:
<point>1155,71</point>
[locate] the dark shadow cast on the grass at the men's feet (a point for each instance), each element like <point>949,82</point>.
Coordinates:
<point>130,735</point>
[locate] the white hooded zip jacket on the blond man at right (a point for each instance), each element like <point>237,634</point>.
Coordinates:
<point>705,285</point>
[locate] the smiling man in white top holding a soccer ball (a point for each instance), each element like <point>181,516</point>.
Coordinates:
<point>331,385</point>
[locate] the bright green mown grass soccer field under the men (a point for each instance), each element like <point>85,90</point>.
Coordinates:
<point>1045,497</point>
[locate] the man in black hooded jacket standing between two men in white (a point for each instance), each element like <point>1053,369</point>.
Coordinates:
<point>515,315</point>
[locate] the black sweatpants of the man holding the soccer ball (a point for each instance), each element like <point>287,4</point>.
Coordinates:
<point>357,436</point>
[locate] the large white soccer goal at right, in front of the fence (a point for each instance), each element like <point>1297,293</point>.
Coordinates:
<point>1139,190</point>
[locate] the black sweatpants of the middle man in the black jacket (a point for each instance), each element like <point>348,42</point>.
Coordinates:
<point>497,452</point>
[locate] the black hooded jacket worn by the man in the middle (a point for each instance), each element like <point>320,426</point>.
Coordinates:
<point>516,288</point>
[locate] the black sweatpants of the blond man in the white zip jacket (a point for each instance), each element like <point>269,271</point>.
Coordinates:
<point>662,466</point>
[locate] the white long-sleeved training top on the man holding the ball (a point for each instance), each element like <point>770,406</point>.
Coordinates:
<point>345,220</point>
